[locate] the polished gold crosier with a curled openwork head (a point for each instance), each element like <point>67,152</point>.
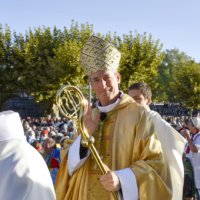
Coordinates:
<point>70,102</point>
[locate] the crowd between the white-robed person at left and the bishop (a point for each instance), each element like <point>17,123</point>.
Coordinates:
<point>47,135</point>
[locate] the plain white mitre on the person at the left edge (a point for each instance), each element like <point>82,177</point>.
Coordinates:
<point>10,126</point>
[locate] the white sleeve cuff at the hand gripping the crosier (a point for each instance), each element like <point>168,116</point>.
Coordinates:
<point>128,184</point>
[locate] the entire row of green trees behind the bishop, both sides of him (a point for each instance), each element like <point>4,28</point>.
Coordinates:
<point>43,60</point>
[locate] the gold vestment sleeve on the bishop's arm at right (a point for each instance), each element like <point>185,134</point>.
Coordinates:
<point>151,169</point>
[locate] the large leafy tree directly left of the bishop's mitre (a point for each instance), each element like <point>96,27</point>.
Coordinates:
<point>52,60</point>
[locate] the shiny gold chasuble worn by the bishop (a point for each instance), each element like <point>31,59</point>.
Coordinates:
<point>128,141</point>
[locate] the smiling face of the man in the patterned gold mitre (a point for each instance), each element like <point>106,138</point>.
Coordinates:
<point>105,85</point>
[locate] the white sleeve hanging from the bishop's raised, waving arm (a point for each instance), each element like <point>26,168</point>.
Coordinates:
<point>74,161</point>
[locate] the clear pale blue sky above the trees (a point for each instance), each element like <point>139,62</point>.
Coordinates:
<point>176,23</point>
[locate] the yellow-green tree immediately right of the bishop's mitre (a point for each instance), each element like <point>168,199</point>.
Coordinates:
<point>140,59</point>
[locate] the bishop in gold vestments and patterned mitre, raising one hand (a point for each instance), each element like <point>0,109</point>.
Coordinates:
<point>124,137</point>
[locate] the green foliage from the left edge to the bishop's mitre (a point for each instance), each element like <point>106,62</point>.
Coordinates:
<point>42,61</point>
